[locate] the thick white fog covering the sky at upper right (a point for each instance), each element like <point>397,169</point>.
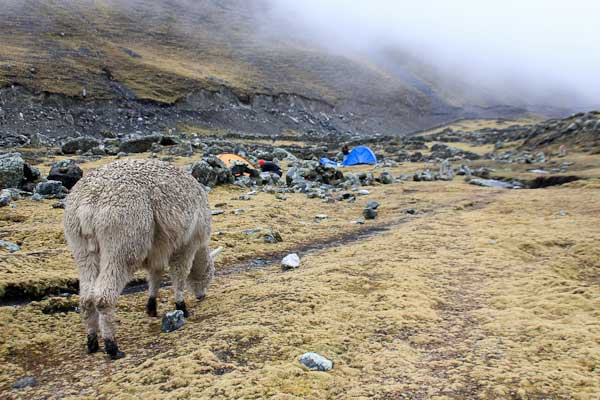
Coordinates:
<point>535,50</point>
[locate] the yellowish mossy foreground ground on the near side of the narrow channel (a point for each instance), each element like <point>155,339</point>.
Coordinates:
<point>492,296</point>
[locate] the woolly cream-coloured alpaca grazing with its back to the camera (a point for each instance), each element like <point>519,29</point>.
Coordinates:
<point>131,215</point>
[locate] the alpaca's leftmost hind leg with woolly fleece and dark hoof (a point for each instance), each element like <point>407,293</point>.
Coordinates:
<point>88,264</point>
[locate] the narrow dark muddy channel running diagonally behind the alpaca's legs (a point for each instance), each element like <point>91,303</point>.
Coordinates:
<point>15,297</point>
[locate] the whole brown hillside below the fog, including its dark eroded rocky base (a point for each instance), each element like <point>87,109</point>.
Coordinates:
<point>69,67</point>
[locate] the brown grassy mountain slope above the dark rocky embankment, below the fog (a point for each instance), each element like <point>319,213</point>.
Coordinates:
<point>161,51</point>
